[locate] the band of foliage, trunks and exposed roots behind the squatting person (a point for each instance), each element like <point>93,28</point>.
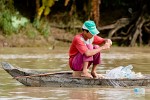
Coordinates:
<point>126,22</point>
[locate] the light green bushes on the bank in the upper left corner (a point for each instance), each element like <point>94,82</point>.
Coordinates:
<point>12,22</point>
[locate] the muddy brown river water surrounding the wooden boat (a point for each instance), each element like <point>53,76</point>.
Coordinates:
<point>45,59</point>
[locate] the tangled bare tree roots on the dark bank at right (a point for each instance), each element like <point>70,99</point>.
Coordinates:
<point>135,29</point>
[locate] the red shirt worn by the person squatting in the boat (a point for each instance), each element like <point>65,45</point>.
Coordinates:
<point>78,44</point>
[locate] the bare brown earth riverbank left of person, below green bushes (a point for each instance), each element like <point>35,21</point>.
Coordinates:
<point>57,37</point>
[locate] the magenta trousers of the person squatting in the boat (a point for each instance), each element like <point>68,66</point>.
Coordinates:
<point>77,61</point>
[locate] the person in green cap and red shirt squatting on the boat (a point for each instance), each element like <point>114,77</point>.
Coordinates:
<point>85,50</point>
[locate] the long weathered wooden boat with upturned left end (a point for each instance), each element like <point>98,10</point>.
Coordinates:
<point>64,79</point>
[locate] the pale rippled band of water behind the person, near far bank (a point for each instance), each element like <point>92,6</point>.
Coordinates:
<point>46,56</point>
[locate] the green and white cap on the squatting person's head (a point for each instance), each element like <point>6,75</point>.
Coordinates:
<point>91,27</point>
